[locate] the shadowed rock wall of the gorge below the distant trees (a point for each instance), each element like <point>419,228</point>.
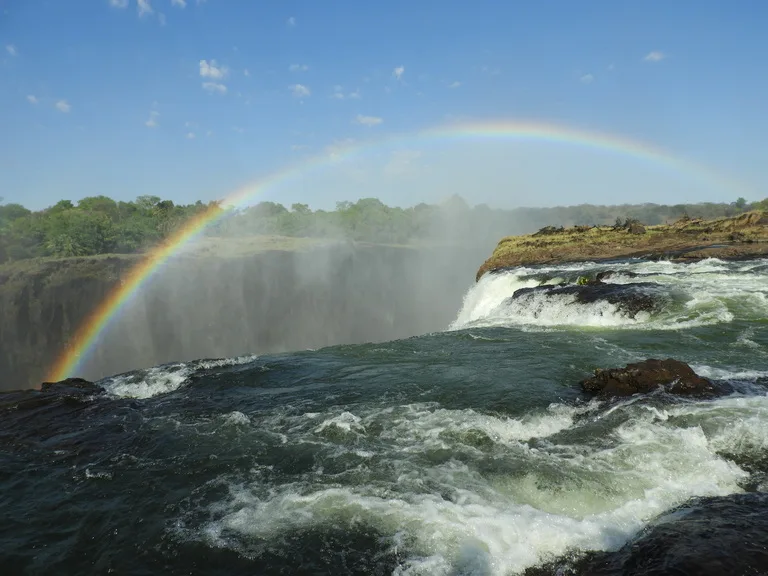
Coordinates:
<point>200,307</point>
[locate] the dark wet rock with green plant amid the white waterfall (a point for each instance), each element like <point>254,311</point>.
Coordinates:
<point>629,298</point>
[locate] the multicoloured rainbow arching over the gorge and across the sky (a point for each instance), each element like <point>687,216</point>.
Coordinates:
<point>87,335</point>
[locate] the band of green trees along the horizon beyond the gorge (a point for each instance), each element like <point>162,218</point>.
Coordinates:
<point>100,225</point>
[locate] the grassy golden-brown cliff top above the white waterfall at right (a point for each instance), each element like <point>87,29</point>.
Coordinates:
<point>688,239</point>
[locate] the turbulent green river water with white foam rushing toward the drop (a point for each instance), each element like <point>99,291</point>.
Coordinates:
<point>469,451</point>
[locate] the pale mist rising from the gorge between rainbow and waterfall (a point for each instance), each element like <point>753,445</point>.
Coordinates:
<point>256,294</point>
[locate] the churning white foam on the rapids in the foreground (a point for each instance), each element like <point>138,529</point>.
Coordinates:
<point>550,497</point>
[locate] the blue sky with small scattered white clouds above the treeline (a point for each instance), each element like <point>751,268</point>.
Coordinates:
<point>192,99</point>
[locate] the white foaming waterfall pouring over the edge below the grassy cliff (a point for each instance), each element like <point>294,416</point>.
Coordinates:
<point>713,292</point>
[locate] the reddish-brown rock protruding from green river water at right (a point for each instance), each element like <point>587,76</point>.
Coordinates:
<point>642,377</point>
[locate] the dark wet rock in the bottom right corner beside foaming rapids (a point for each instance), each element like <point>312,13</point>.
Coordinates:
<point>705,537</point>
